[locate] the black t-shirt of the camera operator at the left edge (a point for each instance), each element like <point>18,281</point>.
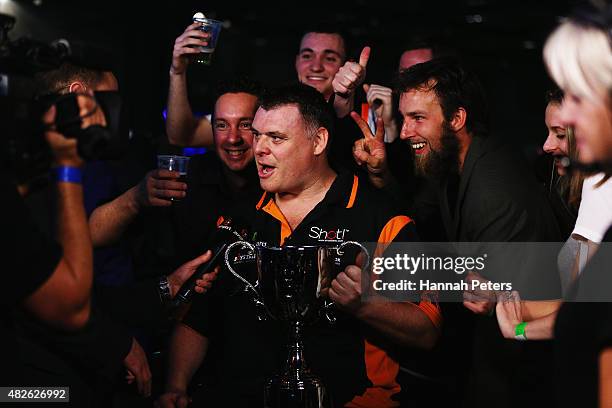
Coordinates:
<point>29,259</point>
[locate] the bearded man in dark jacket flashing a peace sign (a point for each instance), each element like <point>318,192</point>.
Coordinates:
<point>486,194</point>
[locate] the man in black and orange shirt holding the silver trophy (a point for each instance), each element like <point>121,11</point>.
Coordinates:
<point>307,208</point>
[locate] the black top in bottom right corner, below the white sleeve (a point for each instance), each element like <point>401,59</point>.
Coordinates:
<point>583,329</point>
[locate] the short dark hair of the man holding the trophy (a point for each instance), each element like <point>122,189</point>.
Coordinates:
<point>313,107</point>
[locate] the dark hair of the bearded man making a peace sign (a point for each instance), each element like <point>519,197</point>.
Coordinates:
<point>455,87</point>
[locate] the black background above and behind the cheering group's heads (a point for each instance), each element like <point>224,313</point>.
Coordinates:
<point>501,40</point>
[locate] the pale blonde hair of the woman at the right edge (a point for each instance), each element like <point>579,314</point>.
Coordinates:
<point>579,59</point>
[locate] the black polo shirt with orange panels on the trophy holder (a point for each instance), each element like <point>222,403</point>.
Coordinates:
<point>355,368</point>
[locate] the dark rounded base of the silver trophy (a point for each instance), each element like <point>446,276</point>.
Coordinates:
<point>300,391</point>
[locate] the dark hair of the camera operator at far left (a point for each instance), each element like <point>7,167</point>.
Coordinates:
<point>57,81</point>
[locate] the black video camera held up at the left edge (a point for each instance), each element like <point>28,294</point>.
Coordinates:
<point>24,152</point>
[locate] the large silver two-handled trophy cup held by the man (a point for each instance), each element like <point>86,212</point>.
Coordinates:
<point>291,281</point>
